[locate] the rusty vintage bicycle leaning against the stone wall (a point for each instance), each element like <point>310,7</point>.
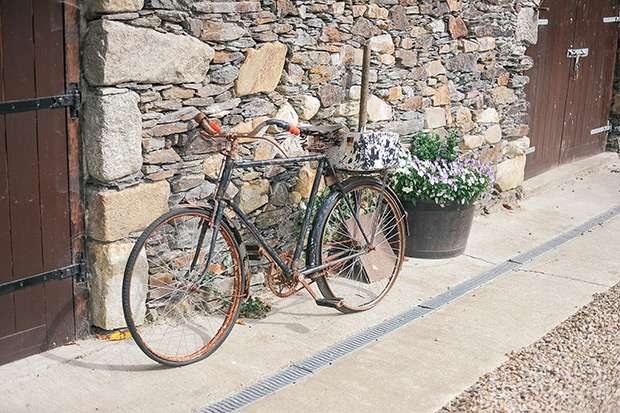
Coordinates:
<point>188,273</point>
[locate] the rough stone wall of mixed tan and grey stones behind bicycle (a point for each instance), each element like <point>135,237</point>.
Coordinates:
<point>439,65</point>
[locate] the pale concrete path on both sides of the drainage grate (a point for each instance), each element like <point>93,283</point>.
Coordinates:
<point>420,367</point>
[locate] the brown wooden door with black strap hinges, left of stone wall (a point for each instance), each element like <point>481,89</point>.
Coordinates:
<point>37,178</point>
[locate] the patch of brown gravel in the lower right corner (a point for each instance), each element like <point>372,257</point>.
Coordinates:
<point>574,368</point>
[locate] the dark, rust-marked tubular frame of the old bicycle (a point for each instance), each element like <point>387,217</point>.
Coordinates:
<point>222,200</point>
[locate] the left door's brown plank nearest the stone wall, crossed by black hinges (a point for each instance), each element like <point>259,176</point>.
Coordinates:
<point>53,167</point>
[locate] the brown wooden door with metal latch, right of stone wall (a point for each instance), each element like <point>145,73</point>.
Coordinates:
<point>567,105</point>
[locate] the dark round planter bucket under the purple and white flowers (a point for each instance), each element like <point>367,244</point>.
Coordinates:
<point>438,232</point>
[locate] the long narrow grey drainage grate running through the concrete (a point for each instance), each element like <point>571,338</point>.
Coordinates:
<point>325,358</point>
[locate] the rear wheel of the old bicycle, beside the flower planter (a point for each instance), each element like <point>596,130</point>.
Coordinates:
<point>361,282</point>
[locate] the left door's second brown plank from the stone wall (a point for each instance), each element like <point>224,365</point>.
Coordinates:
<point>23,173</point>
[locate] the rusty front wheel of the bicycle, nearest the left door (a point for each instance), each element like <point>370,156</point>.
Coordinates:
<point>178,310</point>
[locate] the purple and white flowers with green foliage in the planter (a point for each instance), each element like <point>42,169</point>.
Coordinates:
<point>433,170</point>
